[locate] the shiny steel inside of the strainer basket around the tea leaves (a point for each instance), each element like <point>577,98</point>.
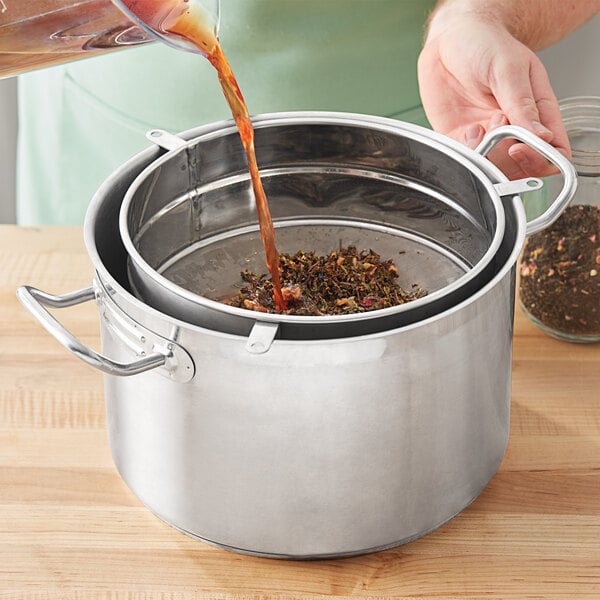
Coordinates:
<point>189,219</point>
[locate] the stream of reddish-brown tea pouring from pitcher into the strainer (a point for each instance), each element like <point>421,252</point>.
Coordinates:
<point>176,19</point>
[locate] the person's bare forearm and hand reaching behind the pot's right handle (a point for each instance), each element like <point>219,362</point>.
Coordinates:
<point>478,70</point>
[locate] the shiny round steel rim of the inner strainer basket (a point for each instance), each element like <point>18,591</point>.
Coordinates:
<point>438,141</point>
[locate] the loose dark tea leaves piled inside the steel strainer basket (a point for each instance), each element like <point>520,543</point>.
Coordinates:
<point>345,281</point>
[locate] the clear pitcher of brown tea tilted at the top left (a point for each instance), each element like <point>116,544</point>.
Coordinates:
<point>41,33</point>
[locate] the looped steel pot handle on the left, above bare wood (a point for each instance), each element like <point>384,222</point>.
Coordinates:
<point>35,301</point>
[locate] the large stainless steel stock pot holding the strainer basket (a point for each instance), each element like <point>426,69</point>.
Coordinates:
<point>303,448</point>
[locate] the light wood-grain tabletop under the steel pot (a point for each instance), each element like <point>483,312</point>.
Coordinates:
<point>71,529</point>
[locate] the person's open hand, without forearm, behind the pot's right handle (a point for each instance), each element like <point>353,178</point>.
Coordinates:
<point>475,76</point>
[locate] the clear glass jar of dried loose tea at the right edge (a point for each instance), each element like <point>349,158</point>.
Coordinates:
<point>559,274</point>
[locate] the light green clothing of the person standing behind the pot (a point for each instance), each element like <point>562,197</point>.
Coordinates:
<point>79,122</point>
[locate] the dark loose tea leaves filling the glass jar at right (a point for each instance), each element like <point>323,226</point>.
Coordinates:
<point>560,273</point>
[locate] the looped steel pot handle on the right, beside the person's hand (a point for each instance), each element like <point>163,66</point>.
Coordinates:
<point>565,167</point>
